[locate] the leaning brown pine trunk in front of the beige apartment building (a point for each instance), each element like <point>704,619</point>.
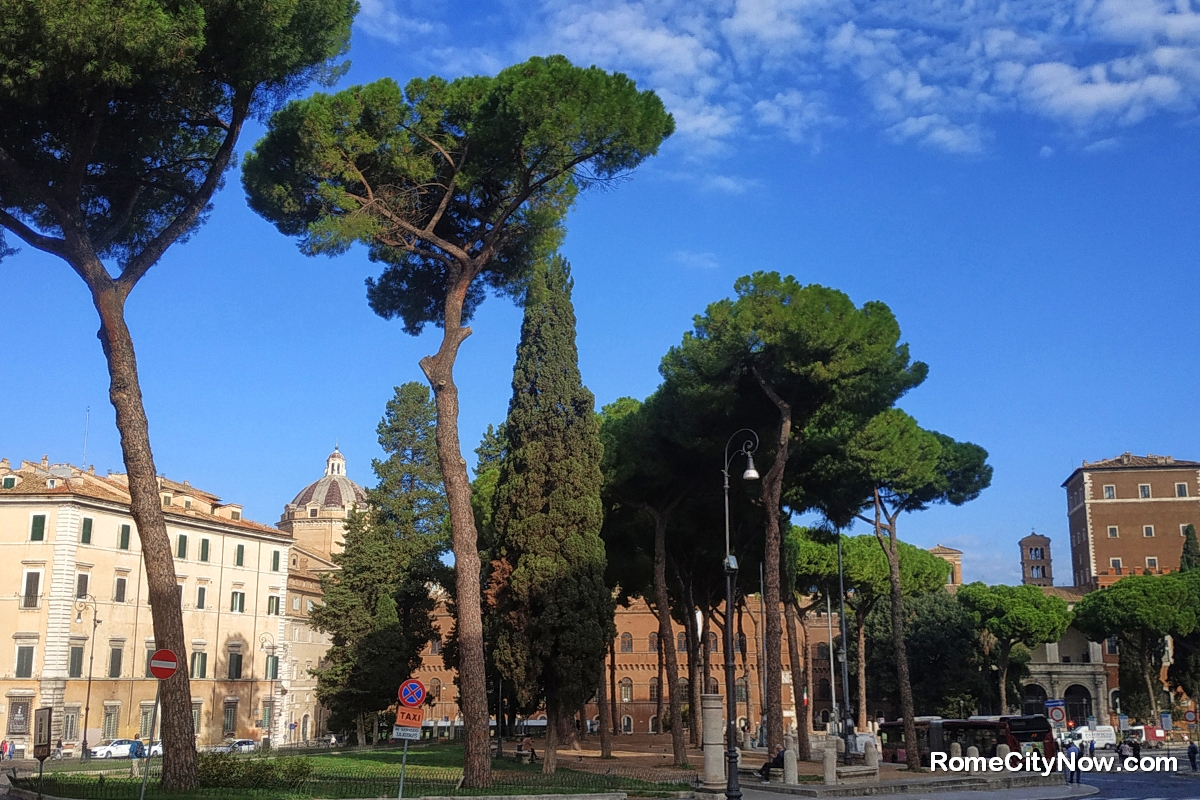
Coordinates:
<point>146,508</point>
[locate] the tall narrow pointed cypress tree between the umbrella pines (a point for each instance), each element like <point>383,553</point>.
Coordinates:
<point>550,561</point>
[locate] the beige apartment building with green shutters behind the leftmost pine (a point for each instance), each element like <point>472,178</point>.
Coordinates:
<point>74,607</point>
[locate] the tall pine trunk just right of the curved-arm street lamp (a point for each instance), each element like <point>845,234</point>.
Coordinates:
<point>772,498</point>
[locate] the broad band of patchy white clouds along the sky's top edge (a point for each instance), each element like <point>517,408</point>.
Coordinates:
<point>931,73</point>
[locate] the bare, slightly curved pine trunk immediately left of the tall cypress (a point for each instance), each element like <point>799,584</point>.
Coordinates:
<point>477,765</point>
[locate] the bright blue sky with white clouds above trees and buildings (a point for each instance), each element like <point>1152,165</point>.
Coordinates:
<point>1018,182</point>
